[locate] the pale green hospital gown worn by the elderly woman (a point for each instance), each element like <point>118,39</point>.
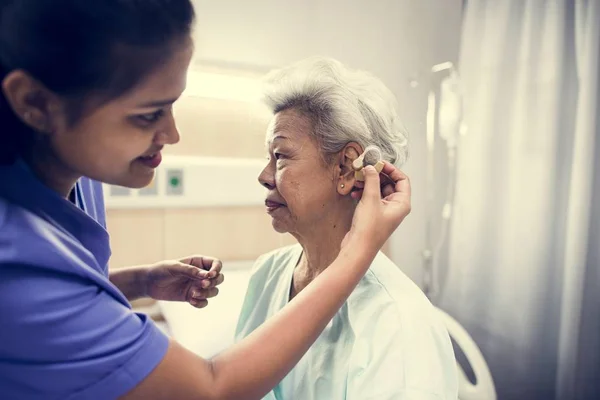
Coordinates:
<point>386,342</point>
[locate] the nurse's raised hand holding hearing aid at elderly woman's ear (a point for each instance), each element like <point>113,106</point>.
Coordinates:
<point>380,210</point>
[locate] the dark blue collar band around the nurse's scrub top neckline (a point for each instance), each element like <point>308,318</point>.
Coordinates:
<point>19,185</point>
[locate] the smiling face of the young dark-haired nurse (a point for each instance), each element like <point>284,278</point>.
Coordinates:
<point>120,142</point>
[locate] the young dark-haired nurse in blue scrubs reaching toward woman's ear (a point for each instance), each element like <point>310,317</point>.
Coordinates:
<point>87,90</point>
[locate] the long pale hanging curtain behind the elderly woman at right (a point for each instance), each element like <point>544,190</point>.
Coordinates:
<point>524,260</point>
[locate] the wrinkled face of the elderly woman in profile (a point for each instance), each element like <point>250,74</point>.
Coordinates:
<point>301,188</point>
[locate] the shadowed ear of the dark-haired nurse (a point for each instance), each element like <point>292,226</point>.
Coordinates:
<point>31,101</point>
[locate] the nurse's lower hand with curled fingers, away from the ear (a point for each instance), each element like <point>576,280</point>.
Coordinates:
<point>191,279</point>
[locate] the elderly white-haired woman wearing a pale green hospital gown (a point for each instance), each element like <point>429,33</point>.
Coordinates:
<point>386,342</point>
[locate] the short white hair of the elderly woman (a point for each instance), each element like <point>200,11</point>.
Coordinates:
<point>344,105</point>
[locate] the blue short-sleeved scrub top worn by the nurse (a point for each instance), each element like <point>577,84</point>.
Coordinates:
<point>66,332</point>
